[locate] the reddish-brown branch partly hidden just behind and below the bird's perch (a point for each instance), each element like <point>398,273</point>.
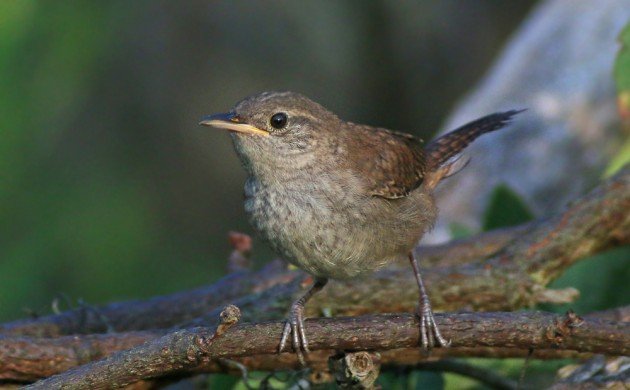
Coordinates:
<point>28,359</point>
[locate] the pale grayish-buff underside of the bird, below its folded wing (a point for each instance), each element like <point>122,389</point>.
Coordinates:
<point>329,240</point>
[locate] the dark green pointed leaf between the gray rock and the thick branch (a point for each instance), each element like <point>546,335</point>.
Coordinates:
<point>505,208</point>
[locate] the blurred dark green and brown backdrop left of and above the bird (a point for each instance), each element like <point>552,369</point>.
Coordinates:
<point>109,189</point>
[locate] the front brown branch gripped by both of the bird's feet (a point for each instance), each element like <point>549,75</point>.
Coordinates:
<point>191,349</point>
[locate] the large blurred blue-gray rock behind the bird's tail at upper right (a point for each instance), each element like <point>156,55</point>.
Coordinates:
<point>559,66</point>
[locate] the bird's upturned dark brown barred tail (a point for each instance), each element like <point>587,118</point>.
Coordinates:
<point>442,153</point>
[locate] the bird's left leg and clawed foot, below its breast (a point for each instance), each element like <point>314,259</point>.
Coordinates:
<point>295,323</point>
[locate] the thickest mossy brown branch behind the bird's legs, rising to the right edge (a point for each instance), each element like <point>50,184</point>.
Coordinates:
<point>514,277</point>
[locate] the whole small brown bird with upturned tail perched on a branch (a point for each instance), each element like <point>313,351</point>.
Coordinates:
<point>339,199</point>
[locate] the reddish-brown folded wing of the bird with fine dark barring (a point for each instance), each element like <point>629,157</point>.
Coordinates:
<point>391,164</point>
